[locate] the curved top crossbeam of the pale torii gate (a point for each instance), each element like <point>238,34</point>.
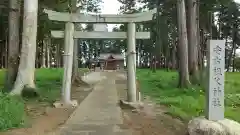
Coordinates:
<point>102,18</point>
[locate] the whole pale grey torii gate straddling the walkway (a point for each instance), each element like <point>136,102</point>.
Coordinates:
<point>69,34</point>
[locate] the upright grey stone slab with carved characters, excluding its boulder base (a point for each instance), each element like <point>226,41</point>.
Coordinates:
<point>215,94</point>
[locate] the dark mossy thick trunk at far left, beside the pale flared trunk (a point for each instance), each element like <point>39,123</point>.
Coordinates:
<point>13,44</point>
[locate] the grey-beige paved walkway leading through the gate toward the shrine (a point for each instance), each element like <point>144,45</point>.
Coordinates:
<point>99,113</point>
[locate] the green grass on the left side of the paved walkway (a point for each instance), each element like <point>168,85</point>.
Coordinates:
<point>12,112</point>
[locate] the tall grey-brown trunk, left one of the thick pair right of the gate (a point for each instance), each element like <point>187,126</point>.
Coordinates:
<point>183,45</point>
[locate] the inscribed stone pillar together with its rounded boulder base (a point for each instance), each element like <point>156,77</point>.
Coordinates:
<point>214,122</point>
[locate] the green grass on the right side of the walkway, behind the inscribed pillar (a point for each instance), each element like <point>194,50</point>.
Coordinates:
<point>187,103</point>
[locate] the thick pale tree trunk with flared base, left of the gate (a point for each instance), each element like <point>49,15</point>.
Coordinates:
<point>25,76</point>
